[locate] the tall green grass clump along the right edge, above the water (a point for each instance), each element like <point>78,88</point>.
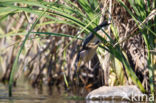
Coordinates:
<point>142,10</point>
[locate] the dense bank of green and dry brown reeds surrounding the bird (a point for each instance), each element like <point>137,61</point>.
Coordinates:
<point>41,38</point>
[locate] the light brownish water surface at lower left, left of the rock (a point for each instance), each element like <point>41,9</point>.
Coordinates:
<point>24,93</point>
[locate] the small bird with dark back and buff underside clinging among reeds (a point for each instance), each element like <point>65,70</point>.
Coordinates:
<point>89,46</point>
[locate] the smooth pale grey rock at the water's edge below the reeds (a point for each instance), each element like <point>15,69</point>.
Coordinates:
<point>114,93</point>
